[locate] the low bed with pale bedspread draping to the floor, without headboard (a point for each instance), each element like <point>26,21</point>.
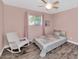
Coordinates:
<point>47,43</point>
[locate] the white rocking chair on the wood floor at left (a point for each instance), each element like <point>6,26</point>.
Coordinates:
<point>15,42</point>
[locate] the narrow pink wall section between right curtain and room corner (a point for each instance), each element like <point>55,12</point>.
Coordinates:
<point>49,28</point>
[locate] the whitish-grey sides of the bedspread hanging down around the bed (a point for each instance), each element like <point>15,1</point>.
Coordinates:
<point>46,47</point>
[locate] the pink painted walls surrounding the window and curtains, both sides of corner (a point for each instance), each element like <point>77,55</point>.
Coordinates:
<point>14,21</point>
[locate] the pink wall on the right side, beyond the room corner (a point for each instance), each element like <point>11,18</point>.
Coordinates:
<point>67,21</point>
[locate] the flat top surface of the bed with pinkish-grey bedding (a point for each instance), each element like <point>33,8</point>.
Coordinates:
<point>48,39</point>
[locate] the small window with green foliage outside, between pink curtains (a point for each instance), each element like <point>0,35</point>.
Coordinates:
<point>35,20</point>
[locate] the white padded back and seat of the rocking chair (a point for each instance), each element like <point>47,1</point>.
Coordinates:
<point>13,39</point>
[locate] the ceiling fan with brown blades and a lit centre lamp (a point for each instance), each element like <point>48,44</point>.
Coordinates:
<point>49,5</point>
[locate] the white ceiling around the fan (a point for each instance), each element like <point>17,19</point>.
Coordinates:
<point>33,5</point>
